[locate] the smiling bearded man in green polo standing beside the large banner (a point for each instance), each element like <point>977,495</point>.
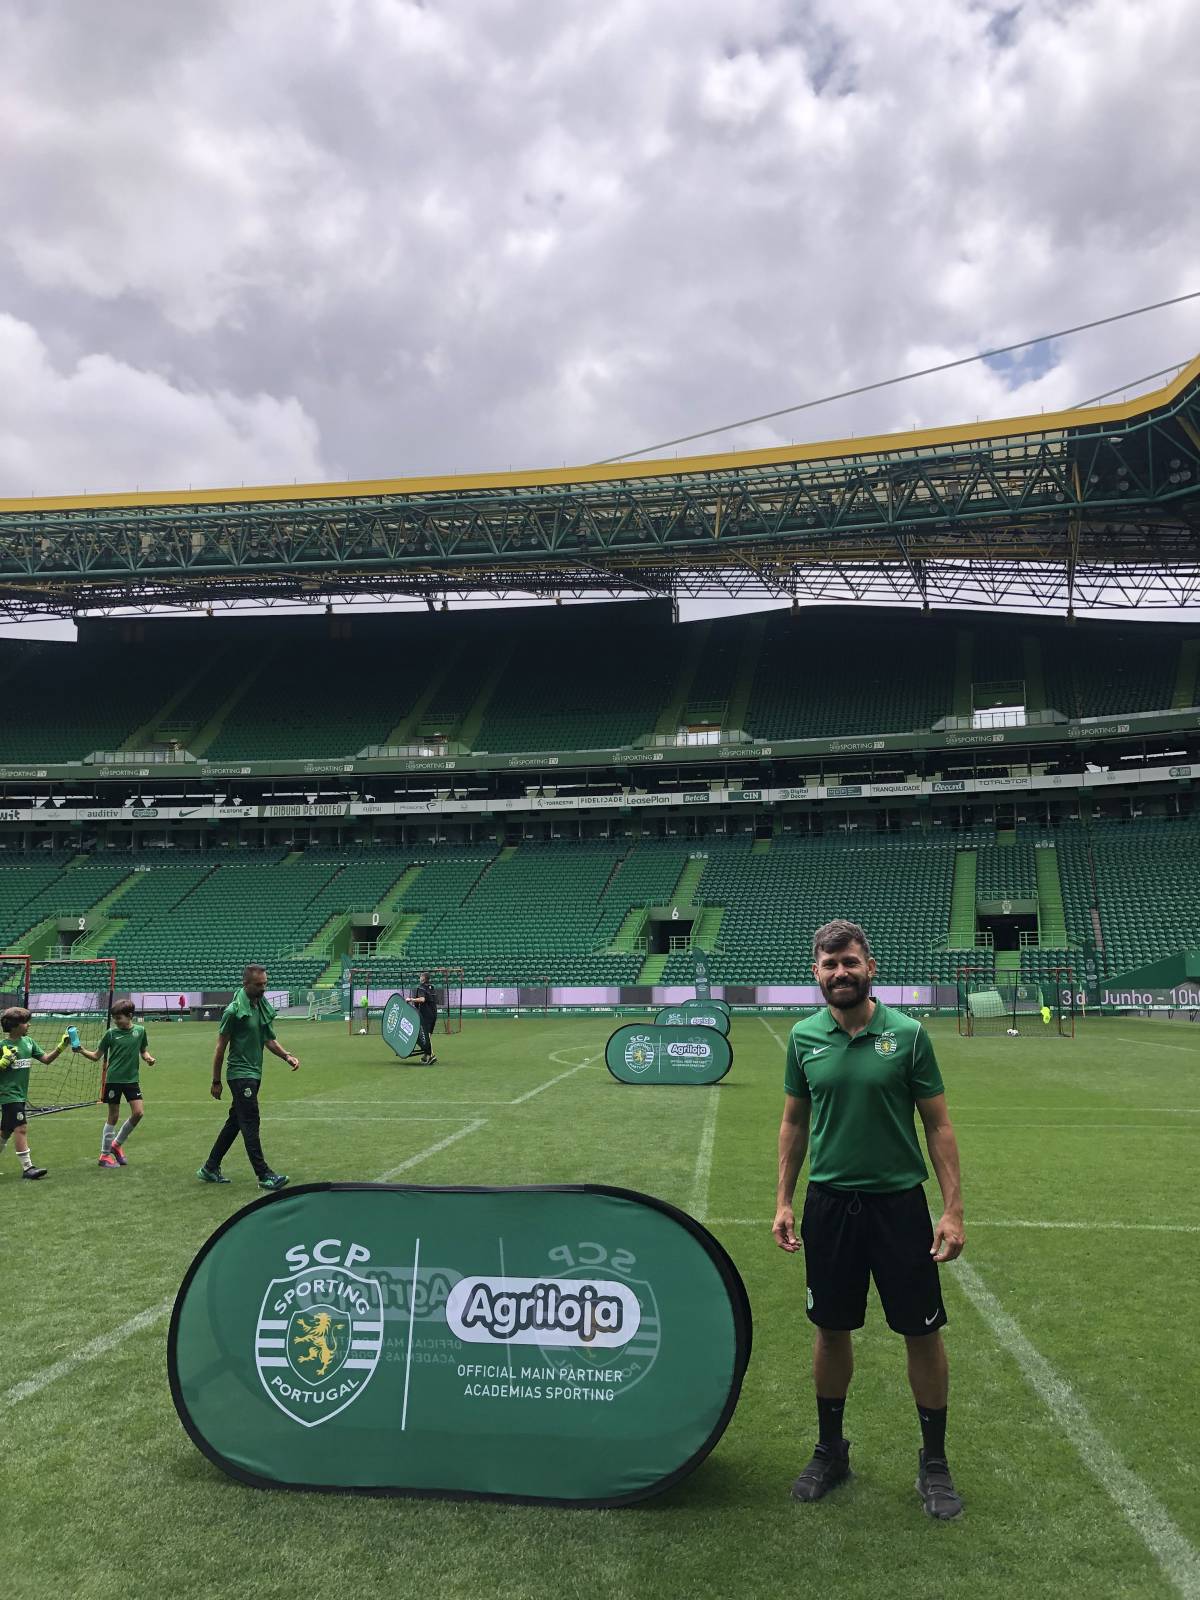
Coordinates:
<point>855,1076</point>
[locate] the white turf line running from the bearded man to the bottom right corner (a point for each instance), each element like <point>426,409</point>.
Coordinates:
<point>1134,1498</point>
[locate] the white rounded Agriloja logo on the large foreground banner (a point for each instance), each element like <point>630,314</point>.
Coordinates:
<point>590,1313</point>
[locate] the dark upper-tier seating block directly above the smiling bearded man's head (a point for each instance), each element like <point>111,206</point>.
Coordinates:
<point>818,681</point>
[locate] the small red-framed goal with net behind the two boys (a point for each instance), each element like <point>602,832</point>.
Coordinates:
<point>63,994</point>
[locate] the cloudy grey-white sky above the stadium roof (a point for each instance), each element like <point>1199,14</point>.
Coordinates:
<point>324,239</point>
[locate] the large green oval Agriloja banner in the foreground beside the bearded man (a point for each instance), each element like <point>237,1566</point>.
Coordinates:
<point>567,1345</point>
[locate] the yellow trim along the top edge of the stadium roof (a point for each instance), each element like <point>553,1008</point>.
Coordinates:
<point>839,449</point>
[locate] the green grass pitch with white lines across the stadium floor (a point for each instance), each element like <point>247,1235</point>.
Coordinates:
<point>1074,1412</point>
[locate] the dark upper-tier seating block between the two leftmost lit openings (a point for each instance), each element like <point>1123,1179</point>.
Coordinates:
<point>318,703</point>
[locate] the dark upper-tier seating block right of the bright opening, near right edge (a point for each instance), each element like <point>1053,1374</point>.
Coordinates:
<point>1103,674</point>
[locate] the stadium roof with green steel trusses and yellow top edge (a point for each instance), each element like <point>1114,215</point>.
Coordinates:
<point>1073,510</point>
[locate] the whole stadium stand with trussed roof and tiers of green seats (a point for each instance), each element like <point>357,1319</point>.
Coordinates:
<point>588,798</point>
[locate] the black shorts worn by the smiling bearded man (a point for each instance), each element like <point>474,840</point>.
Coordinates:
<point>852,1238</point>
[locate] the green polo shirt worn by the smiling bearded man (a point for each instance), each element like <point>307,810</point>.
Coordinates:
<point>865,1092</point>
